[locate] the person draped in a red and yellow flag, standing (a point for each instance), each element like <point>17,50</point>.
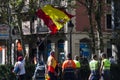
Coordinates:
<point>51,65</point>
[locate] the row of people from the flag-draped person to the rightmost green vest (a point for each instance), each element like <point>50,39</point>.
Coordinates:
<point>78,68</point>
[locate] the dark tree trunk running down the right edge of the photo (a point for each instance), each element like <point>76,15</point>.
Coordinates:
<point>116,27</point>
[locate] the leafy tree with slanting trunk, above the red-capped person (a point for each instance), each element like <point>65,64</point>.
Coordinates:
<point>17,7</point>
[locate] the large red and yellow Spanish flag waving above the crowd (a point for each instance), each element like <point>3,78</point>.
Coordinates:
<point>54,18</point>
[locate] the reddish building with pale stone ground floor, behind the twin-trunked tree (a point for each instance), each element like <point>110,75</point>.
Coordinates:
<point>82,39</point>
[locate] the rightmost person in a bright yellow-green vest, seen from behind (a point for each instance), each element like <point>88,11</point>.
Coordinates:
<point>105,68</point>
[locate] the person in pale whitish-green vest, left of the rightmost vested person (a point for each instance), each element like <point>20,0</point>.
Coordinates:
<point>94,67</point>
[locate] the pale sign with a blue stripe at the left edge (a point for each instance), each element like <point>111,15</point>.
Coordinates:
<point>4,31</point>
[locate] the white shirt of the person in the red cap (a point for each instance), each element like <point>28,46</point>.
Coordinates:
<point>21,65</point>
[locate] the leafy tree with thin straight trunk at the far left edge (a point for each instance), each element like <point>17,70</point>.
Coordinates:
<point>5,18</point>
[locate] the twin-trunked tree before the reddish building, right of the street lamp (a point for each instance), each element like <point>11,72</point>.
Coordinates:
<point>95,12</point>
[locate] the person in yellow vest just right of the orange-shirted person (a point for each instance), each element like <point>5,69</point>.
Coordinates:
<point>77,63</point>
